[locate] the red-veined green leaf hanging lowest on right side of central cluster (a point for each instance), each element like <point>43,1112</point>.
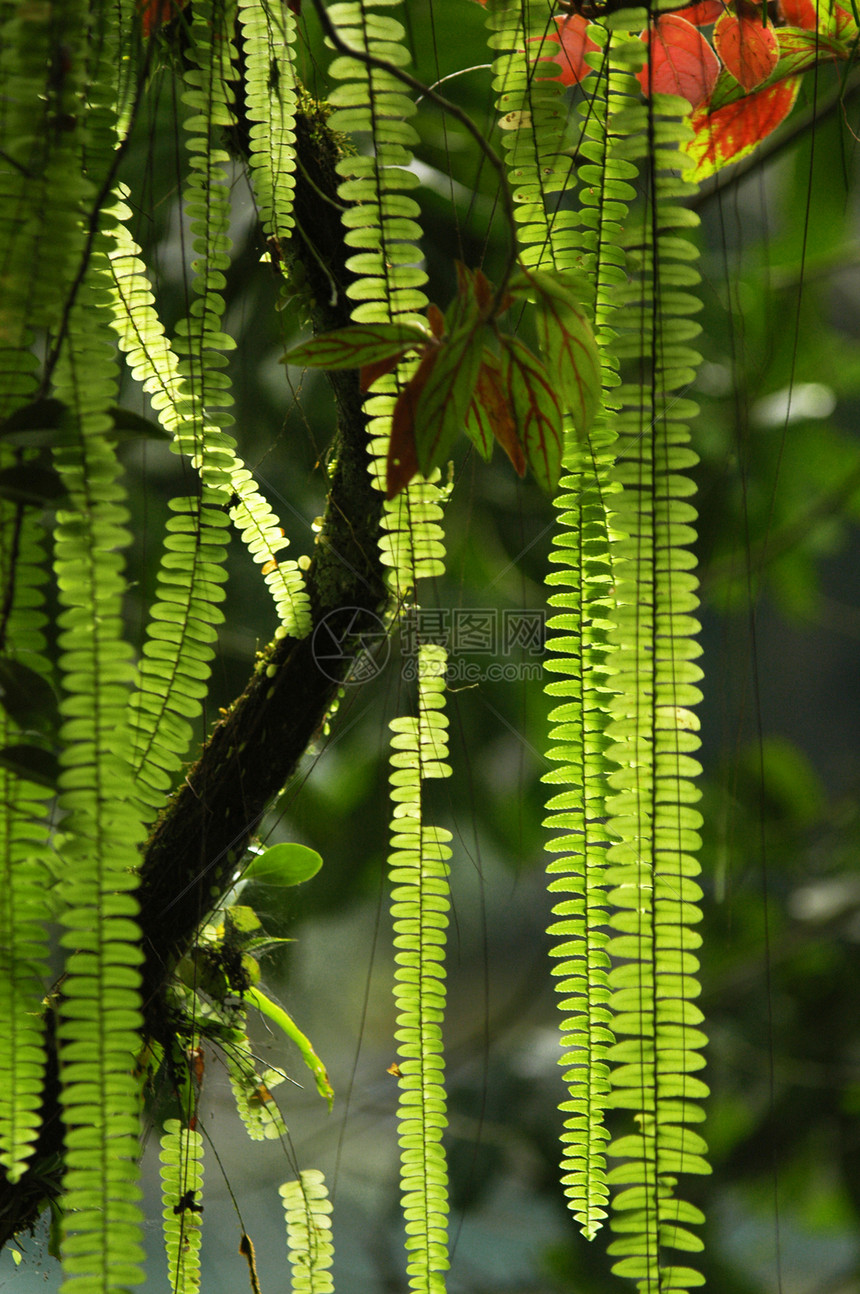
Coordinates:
<point>531,394</point>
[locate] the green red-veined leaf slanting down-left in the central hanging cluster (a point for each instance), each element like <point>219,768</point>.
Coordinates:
<point>440,413</point>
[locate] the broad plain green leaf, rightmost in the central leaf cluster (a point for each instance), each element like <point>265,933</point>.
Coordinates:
<point>567,342</point>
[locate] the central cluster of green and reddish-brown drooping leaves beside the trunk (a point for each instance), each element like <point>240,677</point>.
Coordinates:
<point>475,378</point>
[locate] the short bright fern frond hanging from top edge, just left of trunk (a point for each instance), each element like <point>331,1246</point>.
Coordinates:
<point>268,34</point>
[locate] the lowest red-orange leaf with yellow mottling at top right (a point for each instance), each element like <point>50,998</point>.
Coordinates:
<point>733,133</point>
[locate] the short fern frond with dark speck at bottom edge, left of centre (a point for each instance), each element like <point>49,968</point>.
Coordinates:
<point>183,1213</point>
